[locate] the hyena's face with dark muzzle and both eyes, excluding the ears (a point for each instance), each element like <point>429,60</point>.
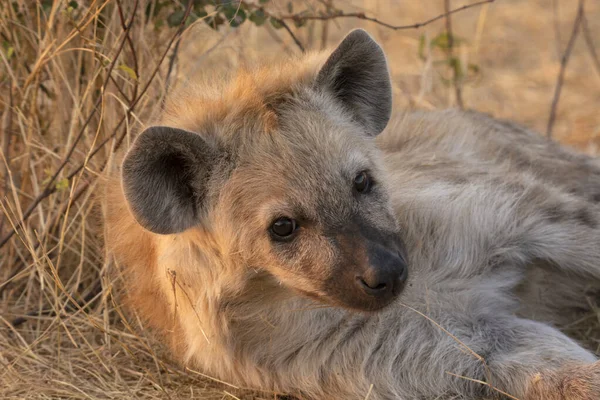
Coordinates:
<point>314,208</point>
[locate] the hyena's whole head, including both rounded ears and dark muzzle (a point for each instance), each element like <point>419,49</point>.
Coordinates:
<point>286,175</point>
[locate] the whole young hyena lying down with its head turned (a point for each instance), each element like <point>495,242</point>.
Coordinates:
<point>280,231</point>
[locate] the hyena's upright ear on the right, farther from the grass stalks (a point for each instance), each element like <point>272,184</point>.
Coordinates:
<point>357,75</point>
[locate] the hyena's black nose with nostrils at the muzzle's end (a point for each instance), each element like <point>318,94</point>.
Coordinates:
<point>385,278</point>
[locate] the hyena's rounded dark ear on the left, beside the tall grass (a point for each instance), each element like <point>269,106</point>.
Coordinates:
<point>165,176</point>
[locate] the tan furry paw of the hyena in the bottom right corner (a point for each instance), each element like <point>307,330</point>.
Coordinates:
<point>580,382</point>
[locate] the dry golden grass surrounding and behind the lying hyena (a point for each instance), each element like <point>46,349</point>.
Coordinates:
<point>61,333</point>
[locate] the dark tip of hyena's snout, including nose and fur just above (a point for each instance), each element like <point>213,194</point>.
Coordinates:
<point>385,273</point>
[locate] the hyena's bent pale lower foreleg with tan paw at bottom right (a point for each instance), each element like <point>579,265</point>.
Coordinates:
<point>532,361</point>
